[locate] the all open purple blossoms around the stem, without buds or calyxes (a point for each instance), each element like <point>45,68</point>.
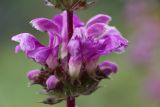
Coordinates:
<point>87,44</point>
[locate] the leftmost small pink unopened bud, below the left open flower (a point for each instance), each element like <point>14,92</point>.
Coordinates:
<point>33,74</point>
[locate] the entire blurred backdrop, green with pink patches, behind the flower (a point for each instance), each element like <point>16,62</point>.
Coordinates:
<point>137,84</point>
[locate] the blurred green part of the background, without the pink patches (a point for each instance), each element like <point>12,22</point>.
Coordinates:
<point>124,89</point>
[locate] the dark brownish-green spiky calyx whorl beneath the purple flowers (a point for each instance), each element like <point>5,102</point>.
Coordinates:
<point>86,84</point>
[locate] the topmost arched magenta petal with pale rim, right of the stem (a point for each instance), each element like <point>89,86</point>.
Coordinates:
<point>101,18</point>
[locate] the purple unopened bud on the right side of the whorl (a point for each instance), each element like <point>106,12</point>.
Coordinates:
<point>108,67</point>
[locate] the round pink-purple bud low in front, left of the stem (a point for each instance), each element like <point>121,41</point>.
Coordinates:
<point>52,82</point>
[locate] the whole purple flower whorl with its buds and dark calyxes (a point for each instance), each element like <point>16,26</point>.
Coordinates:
<point>70,65</point>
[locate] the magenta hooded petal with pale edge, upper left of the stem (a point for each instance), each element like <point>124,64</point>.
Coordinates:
<point>44,25</point>
